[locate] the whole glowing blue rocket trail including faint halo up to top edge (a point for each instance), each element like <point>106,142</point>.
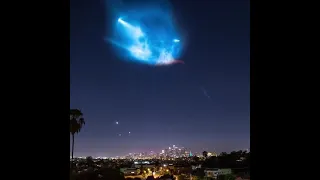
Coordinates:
<point>145,33</point>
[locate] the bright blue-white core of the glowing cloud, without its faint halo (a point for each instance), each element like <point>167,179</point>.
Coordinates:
<point>146,43</point>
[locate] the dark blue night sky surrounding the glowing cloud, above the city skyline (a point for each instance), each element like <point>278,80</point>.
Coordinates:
<point>202,105</point>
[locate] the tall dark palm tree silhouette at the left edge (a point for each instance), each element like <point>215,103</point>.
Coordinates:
<point>76,123</point>
